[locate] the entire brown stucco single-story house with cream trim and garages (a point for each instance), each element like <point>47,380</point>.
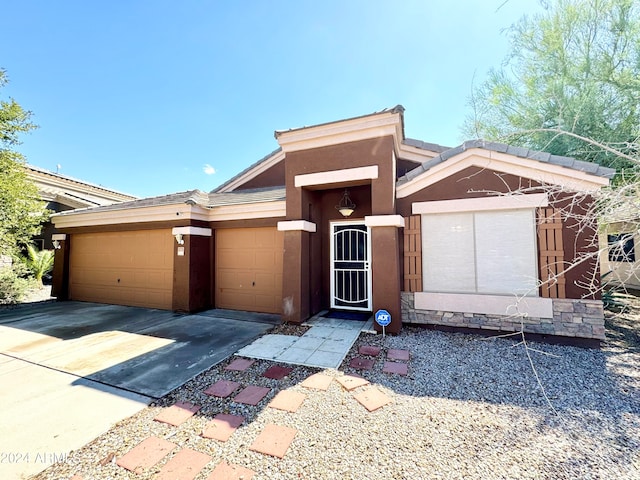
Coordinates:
<point>434,237</point>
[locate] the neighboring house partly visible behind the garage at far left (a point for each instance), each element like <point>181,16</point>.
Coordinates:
<point>65,193</point>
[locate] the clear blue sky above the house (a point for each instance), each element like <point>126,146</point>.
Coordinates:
<point>151,97</point>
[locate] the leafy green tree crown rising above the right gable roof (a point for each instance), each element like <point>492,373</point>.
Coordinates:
<point>576,68</point>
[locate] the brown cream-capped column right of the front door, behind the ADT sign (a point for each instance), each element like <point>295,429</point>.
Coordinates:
<point>385,267</point>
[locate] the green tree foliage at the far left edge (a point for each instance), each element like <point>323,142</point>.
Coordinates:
<point>21,212</point>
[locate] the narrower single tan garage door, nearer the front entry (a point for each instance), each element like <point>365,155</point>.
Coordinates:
<point>249,269</point>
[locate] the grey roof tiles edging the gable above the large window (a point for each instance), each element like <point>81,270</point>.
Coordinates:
<point>567,162</point>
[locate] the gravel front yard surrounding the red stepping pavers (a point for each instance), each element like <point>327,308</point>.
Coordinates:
<point>470,408</point>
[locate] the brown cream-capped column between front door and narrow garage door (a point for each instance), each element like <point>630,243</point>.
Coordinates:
<point>296,295</point>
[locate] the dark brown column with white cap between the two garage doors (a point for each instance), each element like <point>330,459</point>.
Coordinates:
<point>191,269</point>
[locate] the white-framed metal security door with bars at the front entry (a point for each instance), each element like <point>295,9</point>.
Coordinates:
<point>350,266</point>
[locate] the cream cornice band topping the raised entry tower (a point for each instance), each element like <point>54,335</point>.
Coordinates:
<point>383,124</point>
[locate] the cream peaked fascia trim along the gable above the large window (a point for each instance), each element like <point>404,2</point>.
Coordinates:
<point>545,173</point>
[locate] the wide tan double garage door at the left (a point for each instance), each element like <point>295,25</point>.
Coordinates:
<point>123,268</point>
